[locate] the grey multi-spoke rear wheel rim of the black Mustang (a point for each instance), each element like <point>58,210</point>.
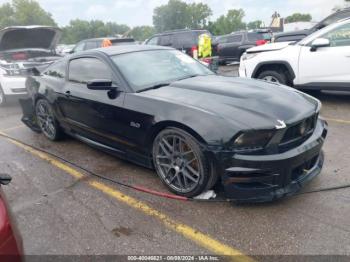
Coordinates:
<point>46,119</point>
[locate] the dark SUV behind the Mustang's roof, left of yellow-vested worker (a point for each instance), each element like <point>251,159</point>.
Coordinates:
<point>185,40</point>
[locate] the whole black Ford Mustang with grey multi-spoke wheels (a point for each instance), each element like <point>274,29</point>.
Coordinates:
<point>161,109</point>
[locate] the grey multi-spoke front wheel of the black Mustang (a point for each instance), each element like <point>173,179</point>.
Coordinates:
<point>178,163</point>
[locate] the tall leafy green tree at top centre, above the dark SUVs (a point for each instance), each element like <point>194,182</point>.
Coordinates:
<point>177,14</point>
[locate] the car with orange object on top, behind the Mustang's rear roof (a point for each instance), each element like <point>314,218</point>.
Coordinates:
<point>93,43</point>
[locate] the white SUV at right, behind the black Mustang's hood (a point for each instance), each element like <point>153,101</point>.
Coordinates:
<point>319,61</point>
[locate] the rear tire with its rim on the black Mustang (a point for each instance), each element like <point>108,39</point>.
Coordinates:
<point>47,121</point>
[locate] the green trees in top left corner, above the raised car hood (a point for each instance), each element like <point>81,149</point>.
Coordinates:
<point>24,12</point>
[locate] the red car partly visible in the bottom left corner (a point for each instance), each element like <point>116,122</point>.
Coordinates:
<point>11,247</point>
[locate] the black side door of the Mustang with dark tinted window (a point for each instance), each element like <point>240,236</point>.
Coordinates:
<point>92,114</point>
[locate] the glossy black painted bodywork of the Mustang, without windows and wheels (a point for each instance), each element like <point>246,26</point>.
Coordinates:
<point>214,109</point>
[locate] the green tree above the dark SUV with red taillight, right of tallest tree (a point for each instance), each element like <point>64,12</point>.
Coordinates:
<point>226,24</point>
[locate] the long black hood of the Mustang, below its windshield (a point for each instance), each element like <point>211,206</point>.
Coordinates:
<point>245,102</point>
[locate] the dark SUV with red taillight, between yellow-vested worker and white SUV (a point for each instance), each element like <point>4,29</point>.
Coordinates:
<point>230,47</point>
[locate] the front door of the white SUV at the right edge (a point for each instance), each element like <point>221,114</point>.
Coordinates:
<point>327,66</point>
